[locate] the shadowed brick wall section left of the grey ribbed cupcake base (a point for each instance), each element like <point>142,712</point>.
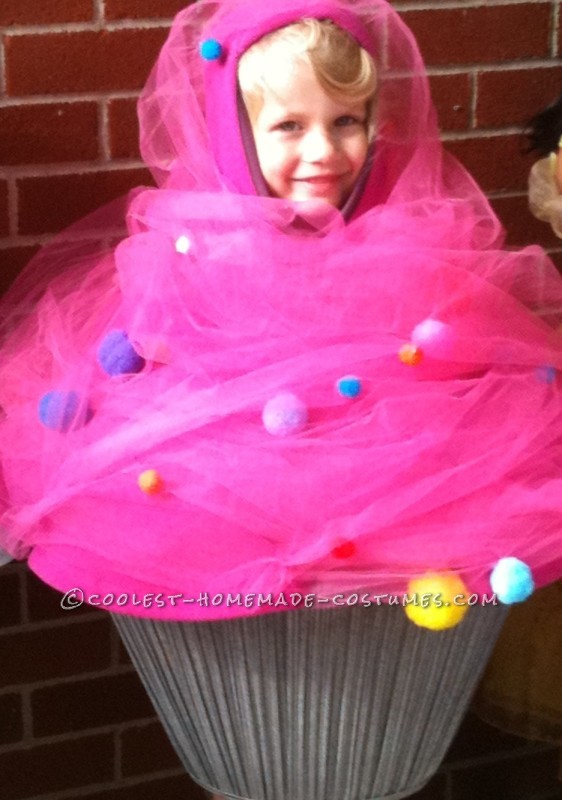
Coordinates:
<point>74,718</point>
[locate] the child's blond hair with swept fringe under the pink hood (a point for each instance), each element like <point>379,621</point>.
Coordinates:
<point>341,66</point>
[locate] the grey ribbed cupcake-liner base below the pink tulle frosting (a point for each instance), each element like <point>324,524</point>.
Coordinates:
<point>338,704</point>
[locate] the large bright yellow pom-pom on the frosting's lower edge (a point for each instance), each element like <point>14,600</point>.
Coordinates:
<point>436,601</point>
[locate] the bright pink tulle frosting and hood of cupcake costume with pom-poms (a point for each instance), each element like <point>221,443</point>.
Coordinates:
<point>253,396</point>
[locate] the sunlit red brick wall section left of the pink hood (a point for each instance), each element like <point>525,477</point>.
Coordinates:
<point>70,72</point>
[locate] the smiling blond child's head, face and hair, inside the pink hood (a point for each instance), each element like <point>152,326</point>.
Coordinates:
<point>310,114</point>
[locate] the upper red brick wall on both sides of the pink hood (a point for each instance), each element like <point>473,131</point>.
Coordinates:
<point>70,71</point>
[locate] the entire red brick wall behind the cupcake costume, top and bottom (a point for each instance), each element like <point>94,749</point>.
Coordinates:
<point>74,721</point>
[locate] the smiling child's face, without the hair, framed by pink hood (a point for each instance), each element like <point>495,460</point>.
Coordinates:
<point>309,145</point>
